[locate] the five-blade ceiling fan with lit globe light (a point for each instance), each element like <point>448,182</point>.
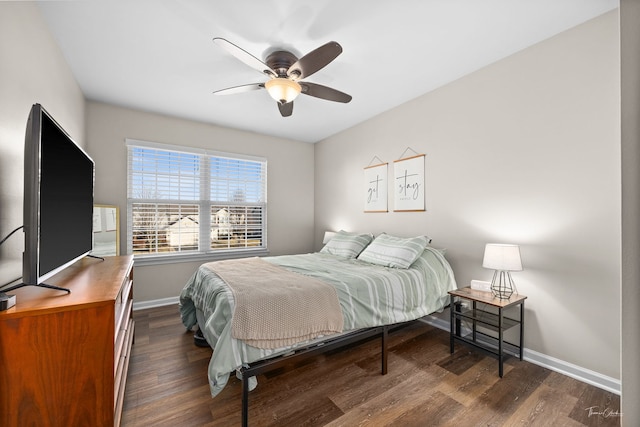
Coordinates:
<point>285,72</point>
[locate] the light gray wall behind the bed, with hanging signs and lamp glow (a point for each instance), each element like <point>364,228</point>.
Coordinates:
<point>524,151</point>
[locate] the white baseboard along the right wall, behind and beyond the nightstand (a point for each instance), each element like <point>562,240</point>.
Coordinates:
<point>577,372</point>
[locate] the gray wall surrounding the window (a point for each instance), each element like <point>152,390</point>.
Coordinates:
<point>289,181</point>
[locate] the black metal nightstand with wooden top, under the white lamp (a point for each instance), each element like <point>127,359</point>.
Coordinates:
<point>485,320</point>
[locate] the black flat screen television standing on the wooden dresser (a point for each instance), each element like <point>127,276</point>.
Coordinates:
<point>58,200</point>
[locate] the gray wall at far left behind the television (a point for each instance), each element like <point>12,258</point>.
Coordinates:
<point>32,70</point>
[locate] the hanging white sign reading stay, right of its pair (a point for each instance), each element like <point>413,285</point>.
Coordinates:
<point>408,184</point>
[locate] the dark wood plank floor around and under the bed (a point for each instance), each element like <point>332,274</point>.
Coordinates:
<point>425,386</point>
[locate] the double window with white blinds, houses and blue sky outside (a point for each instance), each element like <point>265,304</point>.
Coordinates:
<point>186,202</point>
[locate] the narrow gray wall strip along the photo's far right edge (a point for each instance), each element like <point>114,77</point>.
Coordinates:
<point>630,72</point>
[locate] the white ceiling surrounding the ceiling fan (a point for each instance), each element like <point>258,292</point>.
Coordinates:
<point>158,55</point>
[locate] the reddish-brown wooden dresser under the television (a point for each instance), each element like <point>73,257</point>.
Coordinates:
<point>64,357</point>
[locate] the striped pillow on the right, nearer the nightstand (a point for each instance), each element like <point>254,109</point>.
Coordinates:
<point>396,252</point>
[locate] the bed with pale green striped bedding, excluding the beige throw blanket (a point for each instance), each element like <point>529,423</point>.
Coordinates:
<point>378,282</point>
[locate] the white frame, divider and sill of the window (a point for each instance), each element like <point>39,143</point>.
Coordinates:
<point>203,253</point>
